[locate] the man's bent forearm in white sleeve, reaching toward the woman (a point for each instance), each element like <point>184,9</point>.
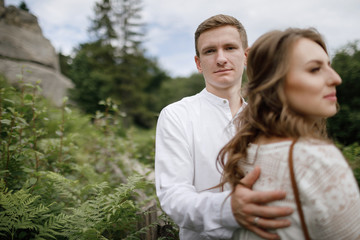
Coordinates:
<point>207,213</point>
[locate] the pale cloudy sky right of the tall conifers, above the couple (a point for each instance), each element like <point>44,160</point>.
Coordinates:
<point>334,19</point>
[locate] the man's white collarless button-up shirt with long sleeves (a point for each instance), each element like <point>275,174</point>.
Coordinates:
<point>189,136</point>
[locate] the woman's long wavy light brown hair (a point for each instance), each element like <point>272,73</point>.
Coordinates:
<point>268,113</point>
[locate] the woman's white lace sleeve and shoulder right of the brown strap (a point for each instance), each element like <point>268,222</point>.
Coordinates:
<point>329,192</point>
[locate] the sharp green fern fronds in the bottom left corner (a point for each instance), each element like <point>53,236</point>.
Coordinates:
<point>102,215</point>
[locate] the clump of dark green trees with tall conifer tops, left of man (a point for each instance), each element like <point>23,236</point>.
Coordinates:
<point>115,65</point>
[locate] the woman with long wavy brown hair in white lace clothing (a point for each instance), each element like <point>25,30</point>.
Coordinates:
<point>291,91</point>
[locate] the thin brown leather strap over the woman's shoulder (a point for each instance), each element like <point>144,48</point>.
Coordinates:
<point>296,192</point>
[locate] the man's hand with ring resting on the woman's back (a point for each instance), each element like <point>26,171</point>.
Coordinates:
<point>249,209</point>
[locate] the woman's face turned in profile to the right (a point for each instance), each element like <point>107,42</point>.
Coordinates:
<point>311,81</point>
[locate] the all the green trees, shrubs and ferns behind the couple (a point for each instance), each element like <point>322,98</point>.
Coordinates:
<point>85,170</point>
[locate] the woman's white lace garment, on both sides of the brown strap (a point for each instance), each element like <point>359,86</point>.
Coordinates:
<point>328,190</point>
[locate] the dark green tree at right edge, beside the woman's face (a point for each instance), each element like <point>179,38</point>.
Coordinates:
<point>345,126</point>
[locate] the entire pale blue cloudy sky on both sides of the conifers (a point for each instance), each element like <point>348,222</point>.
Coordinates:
<point>170,24</point>
